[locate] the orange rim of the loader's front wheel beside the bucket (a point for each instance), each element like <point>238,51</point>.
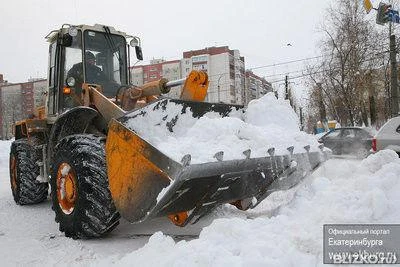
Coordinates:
<point>66,188</point>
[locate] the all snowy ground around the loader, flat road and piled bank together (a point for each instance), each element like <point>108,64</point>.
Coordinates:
<point>285,230</point>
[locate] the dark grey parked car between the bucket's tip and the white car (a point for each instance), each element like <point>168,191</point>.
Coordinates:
<point>348,140</point>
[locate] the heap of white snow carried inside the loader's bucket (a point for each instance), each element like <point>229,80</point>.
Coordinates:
<point>267,122</point>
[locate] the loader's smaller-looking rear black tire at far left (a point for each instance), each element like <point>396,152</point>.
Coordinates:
<point>24,171</point>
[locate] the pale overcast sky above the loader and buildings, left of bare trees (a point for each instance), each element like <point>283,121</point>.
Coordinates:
<point>260,29</point>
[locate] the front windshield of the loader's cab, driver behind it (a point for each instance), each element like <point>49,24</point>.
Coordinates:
<point>105,61</point>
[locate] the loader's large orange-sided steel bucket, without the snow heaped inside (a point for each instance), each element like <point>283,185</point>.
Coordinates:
<point>146,183</point>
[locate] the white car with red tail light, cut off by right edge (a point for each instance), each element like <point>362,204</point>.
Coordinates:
<point>388,137</point>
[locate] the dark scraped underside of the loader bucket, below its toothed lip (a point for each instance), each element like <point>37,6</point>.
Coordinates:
<point>245,183</point>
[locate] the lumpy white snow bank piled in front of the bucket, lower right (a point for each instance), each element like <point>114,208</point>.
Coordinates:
<point>341,192</point>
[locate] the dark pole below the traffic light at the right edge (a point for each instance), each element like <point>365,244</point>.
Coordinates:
<point>393,73</point>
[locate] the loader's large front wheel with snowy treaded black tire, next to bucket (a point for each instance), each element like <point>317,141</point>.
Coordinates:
<point>93,213</point>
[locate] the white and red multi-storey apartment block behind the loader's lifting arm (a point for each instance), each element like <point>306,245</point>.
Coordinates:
<point>228,80</point>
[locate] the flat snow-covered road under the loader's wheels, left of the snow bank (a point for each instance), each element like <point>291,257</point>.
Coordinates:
<point>29,235</point>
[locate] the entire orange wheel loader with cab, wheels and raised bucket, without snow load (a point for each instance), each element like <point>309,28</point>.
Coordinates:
<point>85,143</point>
